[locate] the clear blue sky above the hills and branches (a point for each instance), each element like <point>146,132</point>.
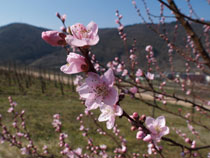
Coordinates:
<point>42,12</point>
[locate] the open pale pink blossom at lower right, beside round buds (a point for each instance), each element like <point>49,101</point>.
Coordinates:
<point>157,127</point>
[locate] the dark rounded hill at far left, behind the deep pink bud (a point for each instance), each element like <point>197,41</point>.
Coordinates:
<point>22,43</point>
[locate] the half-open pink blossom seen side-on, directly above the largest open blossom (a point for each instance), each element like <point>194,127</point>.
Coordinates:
<point>75,64</point>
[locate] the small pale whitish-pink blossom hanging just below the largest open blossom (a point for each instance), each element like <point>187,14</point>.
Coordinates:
<point>108,114</point>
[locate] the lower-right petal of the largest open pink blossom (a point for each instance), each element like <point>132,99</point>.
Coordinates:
<point>112,97</point>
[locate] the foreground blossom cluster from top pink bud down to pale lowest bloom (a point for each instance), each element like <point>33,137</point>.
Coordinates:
<point>96,91</point>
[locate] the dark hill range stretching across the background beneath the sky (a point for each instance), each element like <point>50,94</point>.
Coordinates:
<point>22,43</point>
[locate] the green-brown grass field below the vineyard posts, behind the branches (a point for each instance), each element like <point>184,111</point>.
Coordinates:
<point>40,108</point>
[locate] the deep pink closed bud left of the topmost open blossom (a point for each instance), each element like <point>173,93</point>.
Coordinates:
<point>54,38</point>
